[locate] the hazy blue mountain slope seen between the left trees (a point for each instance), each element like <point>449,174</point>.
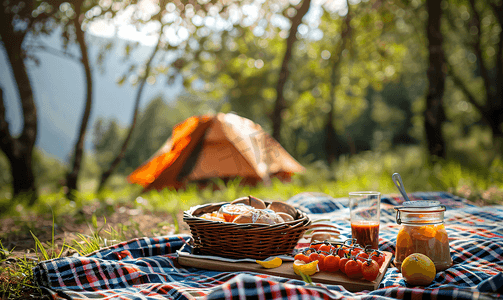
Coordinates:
<point>59,85</point>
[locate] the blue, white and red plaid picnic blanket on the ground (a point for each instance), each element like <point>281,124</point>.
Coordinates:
<point>147,268</point>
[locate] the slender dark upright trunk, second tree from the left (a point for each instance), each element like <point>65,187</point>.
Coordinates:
<point>72,176</point>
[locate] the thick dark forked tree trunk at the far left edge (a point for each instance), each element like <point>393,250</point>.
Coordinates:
<point>19,150</point>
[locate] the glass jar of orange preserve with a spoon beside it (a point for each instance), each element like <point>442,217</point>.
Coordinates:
<point>422,231</point>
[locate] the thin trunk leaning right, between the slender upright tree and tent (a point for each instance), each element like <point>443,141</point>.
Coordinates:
<point>122,152</point>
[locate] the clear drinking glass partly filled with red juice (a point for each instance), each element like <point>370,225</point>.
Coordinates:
<point>365,213</point>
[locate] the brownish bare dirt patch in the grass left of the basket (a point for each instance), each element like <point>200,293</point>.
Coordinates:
<point>16,237</point>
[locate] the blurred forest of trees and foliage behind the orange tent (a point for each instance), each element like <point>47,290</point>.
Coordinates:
<point>328,79</point>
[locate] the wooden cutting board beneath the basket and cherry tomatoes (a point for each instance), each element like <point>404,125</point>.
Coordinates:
<point>286,270</point>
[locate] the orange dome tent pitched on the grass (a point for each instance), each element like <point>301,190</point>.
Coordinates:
<point>215,146</point>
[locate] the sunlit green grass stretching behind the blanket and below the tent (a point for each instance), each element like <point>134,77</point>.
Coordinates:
<point>366,171</point>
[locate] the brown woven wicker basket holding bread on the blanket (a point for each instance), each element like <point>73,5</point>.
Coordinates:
<point>233,240</point>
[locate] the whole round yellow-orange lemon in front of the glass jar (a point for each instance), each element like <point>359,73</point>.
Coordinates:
<point>418,269</point>
